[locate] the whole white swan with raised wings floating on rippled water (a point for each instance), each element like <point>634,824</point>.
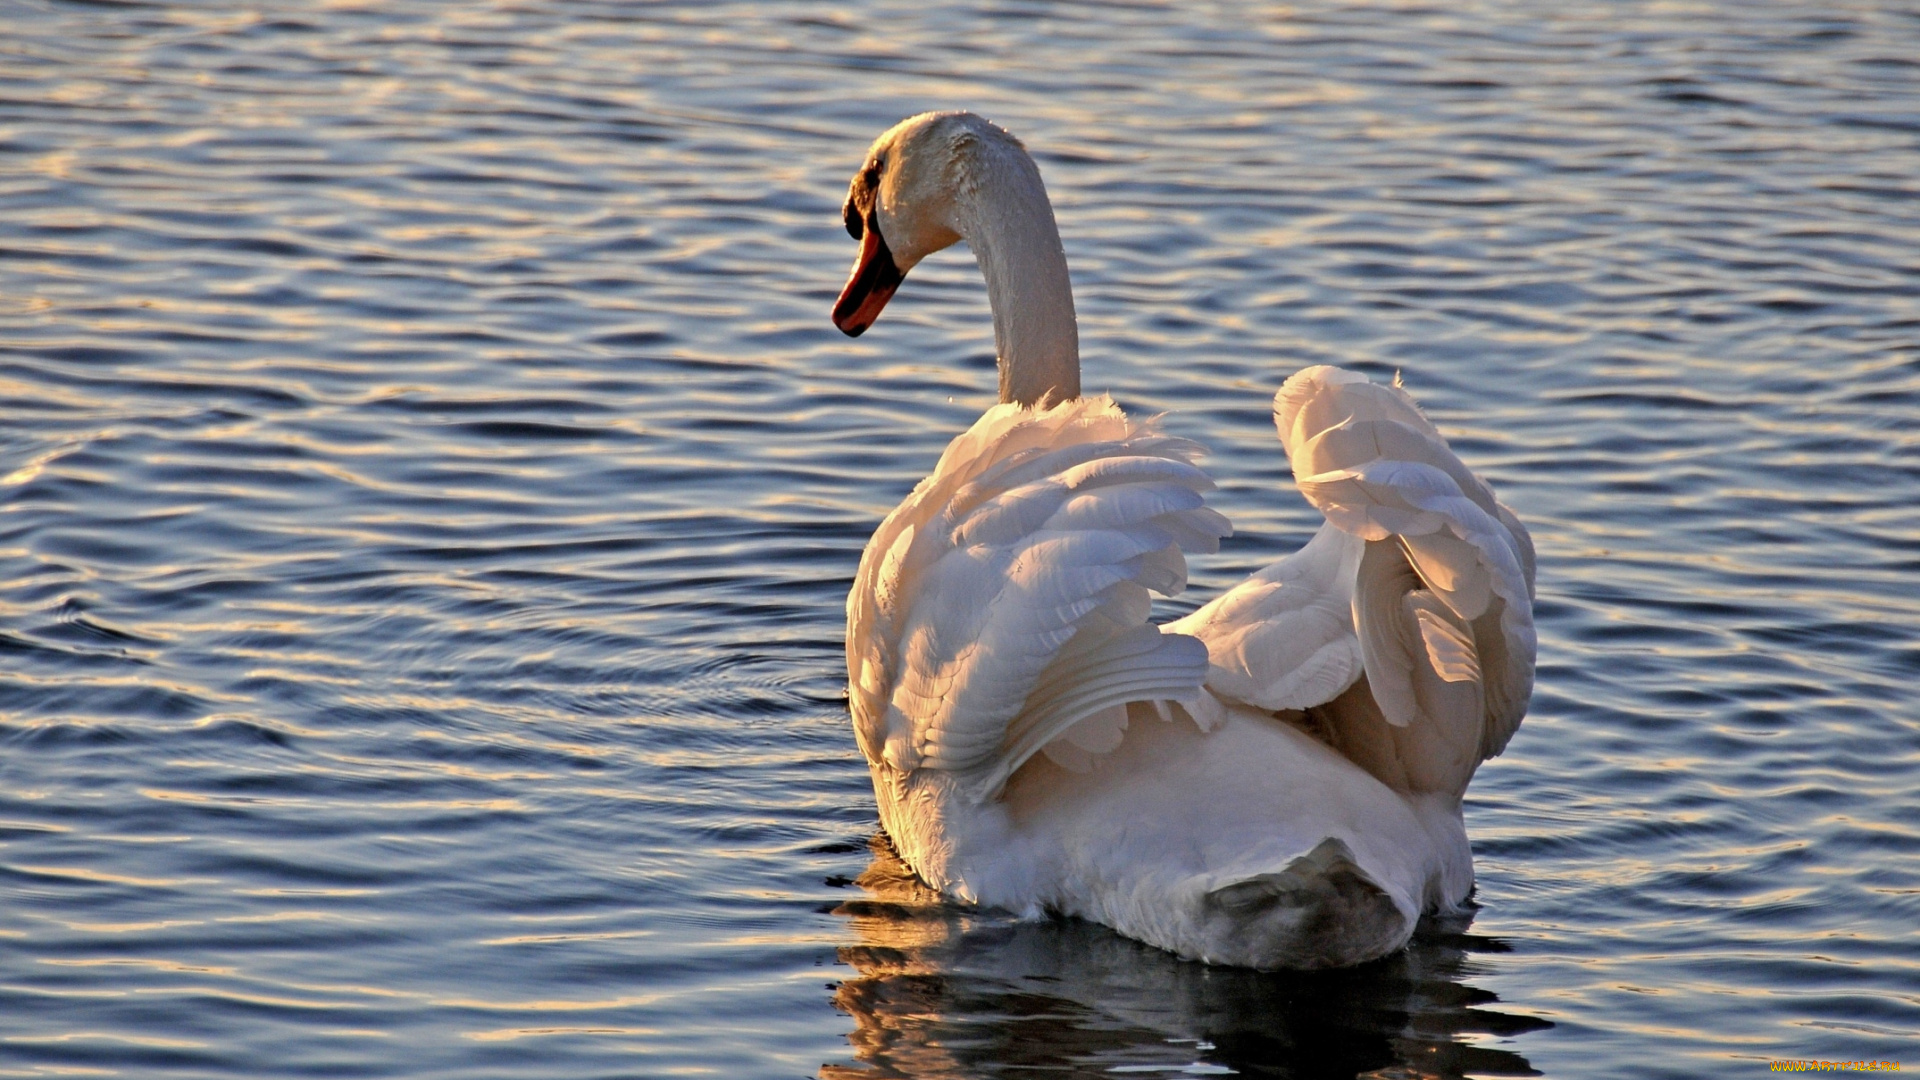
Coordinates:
<point>1272,781</point>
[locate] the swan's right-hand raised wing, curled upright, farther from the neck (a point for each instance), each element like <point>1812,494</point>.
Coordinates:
<point>1406,626</point>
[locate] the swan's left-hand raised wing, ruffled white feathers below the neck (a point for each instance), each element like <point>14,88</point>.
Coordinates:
<point>1007,599</point>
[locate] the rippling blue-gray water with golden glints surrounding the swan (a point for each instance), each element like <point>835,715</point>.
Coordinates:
<point>431,483</point>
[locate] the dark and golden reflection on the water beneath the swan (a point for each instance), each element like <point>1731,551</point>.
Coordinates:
<point>944,991</point>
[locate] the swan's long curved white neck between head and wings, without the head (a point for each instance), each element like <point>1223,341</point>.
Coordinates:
<point>1011,226</point>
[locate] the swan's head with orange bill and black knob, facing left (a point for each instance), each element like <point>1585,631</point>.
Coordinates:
<point>911,199</point>
